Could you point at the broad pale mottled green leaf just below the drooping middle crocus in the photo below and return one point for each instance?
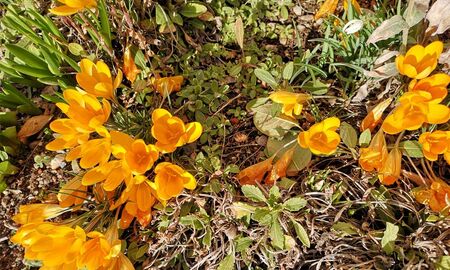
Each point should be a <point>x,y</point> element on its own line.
<point>270,125</point>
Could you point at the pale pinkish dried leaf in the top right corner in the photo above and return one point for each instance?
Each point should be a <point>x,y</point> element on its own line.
<point>439,17</point>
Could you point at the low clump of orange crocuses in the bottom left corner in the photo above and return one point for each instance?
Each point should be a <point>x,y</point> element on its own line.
<point>60,246</point>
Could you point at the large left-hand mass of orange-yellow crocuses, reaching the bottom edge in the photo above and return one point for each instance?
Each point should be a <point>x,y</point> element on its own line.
<point>116,169</point>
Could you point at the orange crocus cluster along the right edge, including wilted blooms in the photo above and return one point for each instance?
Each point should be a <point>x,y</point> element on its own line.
<point>417,108</point>
